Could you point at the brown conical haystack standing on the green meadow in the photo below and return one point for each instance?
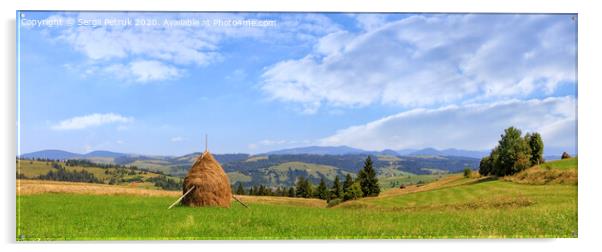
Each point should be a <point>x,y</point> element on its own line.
<point>212,187</point>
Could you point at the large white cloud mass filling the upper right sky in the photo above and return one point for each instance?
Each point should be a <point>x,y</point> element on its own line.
<point>429,60</point>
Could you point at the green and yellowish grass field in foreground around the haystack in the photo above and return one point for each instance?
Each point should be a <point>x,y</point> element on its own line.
<point>450,207</point>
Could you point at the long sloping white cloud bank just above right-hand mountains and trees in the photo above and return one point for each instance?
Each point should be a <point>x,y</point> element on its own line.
<point>473,126</point>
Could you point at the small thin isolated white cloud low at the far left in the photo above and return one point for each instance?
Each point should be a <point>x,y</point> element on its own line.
<point>92,120</point>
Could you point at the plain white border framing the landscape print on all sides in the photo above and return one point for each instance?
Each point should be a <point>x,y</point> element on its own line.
<point>589,120</point>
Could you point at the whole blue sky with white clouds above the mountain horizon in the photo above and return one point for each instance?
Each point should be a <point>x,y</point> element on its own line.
<point>370,81</point>
